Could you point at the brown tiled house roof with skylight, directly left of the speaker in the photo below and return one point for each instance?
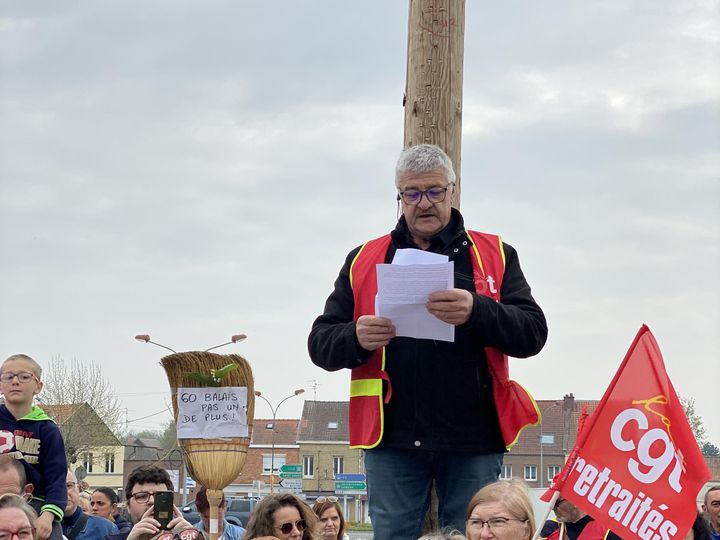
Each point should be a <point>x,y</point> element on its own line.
<point>324,421</point>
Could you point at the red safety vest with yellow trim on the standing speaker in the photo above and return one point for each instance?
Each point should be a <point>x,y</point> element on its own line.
<point>515,406</point>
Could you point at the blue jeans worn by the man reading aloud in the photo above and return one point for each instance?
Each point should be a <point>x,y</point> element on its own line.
<point>399,483</point>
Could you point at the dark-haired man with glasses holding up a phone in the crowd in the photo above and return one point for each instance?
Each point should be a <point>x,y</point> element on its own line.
<point>140,489</point>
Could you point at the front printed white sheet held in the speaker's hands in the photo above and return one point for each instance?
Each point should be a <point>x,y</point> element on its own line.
<point>403,290</point>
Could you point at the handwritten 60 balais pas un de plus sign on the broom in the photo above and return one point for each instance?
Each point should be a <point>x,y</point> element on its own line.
<point>212,413</point>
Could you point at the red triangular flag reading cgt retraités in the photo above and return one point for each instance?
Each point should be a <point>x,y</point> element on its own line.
<point>636,467</point>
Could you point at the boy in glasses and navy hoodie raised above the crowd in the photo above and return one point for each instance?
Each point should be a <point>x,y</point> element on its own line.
<point>30,435</point>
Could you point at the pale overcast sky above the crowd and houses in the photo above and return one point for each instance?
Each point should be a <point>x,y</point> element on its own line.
<point>197,169</point>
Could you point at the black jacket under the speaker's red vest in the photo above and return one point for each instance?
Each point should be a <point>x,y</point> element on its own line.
<point>441,392</point>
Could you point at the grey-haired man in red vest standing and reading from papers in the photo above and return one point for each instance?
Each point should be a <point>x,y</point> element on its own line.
<point>430,410</point>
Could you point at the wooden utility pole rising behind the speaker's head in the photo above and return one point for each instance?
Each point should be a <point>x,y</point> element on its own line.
<point>433,91</point>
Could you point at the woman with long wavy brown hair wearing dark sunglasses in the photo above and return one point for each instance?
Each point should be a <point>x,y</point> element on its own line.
<point>281,516</point>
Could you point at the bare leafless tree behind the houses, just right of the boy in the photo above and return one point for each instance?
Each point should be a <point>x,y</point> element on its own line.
<point>77,382</point>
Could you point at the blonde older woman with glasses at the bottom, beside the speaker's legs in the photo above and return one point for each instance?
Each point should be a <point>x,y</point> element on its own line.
<point>501,510</point>
